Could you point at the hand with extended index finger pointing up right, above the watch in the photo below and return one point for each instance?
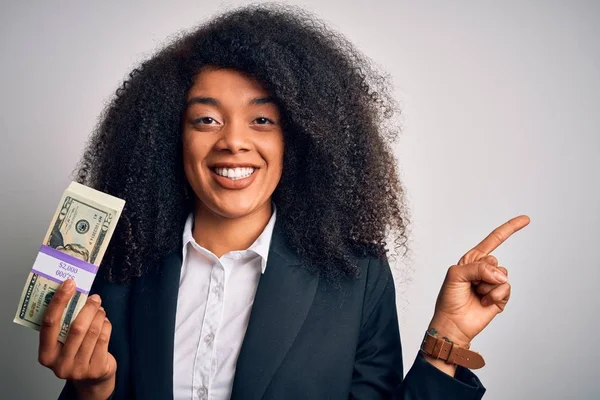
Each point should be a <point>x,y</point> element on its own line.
<point>476,289</point>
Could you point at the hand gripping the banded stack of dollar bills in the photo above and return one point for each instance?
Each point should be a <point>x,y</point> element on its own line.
<point>84,358</point>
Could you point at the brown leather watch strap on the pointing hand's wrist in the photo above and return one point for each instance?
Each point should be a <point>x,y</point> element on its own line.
<point>451,353</point>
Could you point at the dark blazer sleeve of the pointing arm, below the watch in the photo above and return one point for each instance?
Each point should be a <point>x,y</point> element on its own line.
<point>378,369</point>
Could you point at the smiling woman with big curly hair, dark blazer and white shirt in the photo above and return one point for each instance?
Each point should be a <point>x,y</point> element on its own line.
<point>250,260</point>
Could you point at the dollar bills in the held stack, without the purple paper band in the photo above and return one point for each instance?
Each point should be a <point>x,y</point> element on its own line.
<point>81,227</point>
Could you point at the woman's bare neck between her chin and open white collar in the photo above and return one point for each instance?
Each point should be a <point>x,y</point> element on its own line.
<point>221,235</point>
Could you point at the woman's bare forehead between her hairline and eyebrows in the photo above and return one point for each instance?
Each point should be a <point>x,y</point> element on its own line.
<point>219,82</point>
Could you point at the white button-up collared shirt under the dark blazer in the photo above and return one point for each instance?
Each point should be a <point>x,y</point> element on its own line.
<point>213,309</point>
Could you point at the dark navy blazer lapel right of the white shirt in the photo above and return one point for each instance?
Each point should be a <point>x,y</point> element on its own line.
<point>283,298</point>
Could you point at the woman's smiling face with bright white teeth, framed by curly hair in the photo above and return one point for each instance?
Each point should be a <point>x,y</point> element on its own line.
<point>232,143</point>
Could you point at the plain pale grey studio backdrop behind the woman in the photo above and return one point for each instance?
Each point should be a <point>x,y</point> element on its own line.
<point>500,114</point>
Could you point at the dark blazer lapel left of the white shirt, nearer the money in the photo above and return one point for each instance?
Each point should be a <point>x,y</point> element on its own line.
<point>153,330</point>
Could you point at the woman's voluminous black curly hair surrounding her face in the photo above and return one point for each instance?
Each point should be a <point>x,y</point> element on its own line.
<point>339,194</point>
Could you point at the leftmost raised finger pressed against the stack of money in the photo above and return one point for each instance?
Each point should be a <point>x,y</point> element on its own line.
<point>51,322</point>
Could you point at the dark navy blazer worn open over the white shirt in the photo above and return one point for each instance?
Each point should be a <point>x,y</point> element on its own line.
<point>305,338</point>
